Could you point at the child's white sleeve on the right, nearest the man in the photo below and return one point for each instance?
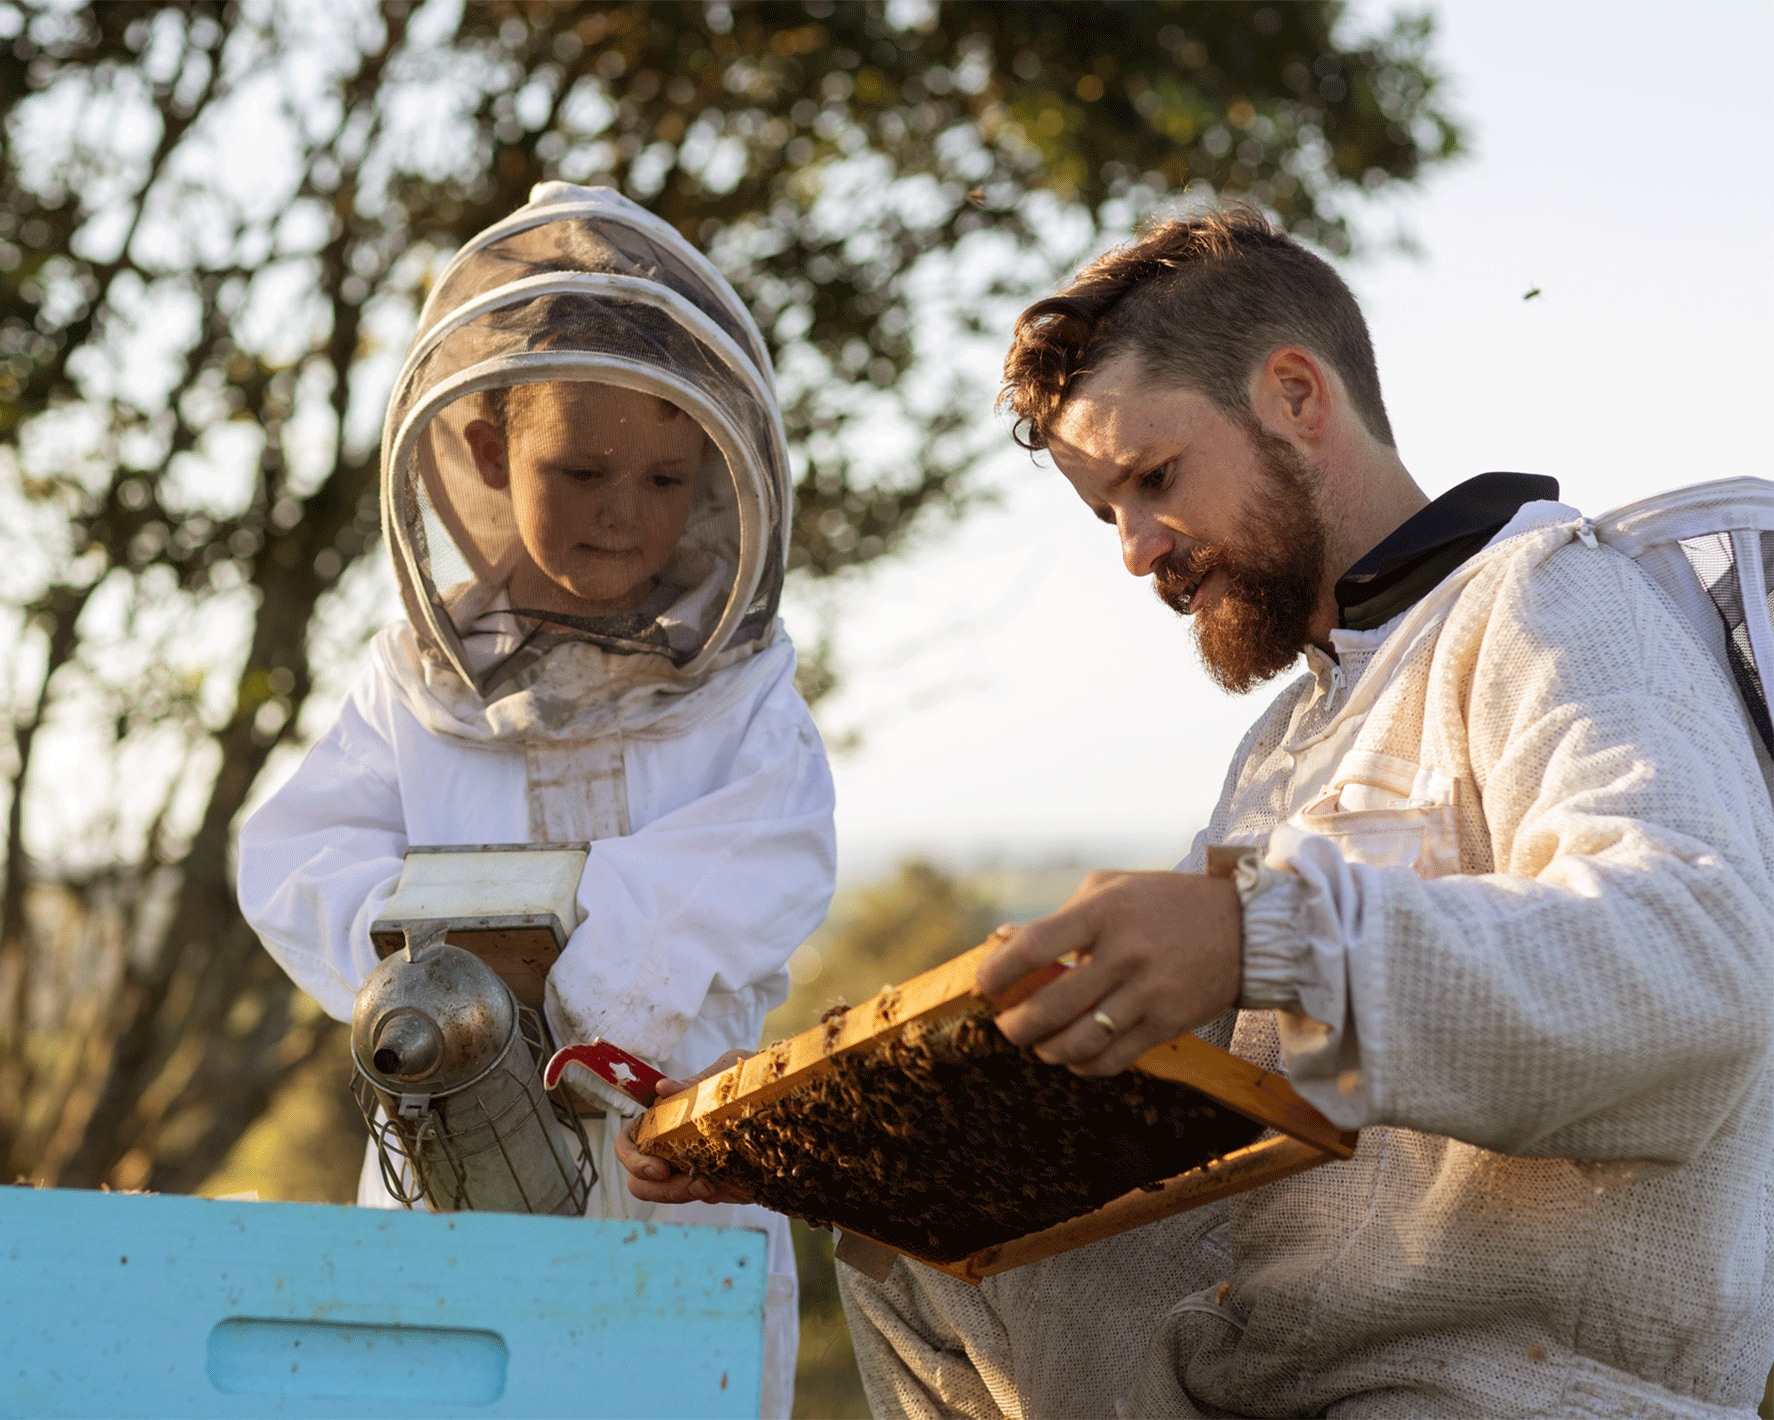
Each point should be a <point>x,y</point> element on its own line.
<point>710,897</point>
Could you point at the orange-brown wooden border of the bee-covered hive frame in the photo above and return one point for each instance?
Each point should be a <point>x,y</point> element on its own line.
<point>1305,1139</point>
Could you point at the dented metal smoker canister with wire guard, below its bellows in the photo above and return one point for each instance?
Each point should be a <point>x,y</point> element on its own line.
<point>448,1073</point>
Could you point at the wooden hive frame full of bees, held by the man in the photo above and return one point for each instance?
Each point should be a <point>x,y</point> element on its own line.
<point>914,1126</point>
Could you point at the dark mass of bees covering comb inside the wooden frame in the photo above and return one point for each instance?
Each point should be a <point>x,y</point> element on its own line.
<point>948,1139</point>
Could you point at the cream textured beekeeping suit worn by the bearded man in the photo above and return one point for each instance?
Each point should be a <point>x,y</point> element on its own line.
<point>1509,910</point>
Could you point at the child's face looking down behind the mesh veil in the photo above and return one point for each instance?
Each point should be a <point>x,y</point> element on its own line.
<point>600,482</point>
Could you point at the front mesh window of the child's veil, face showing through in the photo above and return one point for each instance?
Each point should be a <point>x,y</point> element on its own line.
<point>572,510</point>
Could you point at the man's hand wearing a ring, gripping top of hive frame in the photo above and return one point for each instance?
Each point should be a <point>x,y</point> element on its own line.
<point>1159,954</point>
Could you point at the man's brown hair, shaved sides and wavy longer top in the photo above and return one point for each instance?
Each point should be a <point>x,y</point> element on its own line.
<point>1202,303</point>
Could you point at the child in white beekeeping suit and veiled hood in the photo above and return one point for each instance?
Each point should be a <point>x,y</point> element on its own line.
<point>586,496</point>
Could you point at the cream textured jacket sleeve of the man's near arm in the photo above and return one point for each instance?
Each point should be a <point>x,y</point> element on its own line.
<point>1610,991</point>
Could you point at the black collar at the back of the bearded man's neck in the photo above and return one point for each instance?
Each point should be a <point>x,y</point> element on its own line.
<point>1431,544</point>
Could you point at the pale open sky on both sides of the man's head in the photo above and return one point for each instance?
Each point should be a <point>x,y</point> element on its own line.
<point>1023,698</point>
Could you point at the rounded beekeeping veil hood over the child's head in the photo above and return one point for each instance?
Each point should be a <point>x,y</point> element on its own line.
<point>585,446</point>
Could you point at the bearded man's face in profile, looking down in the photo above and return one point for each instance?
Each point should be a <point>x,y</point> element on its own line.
<point>1223,517</point>
